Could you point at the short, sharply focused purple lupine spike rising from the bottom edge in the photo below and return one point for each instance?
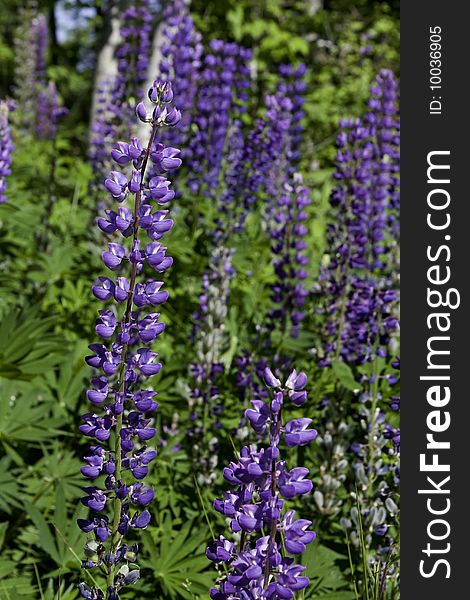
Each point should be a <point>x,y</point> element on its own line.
<point>260,567</point>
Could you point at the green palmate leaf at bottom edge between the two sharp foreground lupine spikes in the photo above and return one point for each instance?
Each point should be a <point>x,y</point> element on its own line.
<point>178,561</point>
